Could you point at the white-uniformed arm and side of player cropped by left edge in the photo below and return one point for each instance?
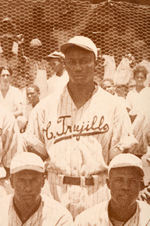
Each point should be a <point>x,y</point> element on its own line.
<point>8,146</point>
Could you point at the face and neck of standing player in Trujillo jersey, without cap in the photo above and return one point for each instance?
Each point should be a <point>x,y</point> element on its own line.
<point>80,64</point>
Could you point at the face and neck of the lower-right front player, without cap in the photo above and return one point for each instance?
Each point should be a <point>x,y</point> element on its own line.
<point>125,184</point>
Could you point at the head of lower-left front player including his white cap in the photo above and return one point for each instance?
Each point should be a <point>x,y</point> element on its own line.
<point>27,177</point>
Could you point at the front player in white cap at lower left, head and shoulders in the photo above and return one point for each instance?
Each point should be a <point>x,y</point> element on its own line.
<point>27,207</point>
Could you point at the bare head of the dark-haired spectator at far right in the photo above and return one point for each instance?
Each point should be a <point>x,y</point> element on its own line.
<point>140,75</point>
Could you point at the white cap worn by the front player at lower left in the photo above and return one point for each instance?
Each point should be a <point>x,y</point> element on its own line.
<point>26,161</point>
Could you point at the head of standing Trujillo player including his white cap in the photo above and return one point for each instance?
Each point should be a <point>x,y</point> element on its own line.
<point>80,59</point>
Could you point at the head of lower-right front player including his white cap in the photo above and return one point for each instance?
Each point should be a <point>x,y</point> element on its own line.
<point>125,180</point>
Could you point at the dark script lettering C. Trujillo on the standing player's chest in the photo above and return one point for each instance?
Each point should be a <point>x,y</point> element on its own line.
<point>65,131</point>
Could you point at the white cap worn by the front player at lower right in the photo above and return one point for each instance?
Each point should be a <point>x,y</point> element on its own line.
<point>125,160</point>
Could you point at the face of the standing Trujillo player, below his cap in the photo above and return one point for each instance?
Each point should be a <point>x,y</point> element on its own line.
<point>80,65</point>
